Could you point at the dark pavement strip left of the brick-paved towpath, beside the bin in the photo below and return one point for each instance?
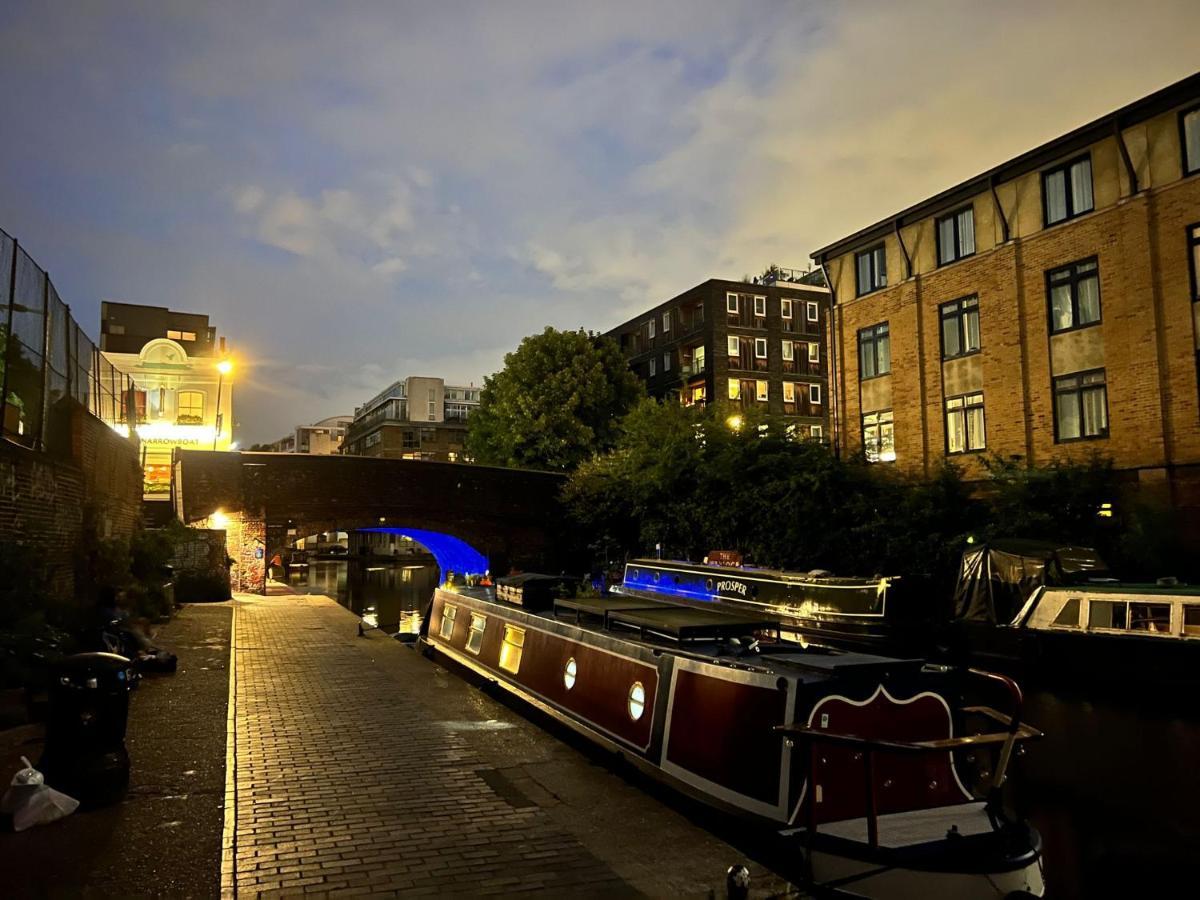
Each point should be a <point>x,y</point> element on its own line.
<point>165,838</point>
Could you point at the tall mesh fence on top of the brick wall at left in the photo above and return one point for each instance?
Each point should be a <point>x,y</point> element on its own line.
<point>45,357</point>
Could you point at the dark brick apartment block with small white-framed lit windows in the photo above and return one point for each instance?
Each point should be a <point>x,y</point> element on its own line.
<point>743,344</point>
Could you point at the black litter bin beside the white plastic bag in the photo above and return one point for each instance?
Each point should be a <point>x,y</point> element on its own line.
<point>86,755</point>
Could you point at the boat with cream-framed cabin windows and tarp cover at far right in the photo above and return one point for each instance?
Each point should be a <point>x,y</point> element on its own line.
<point>1058,611</point>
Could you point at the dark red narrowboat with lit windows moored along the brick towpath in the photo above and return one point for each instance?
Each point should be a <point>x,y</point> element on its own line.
<point>867,775</point>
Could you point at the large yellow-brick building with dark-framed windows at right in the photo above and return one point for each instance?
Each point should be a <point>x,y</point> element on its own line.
<point>1047,308</point>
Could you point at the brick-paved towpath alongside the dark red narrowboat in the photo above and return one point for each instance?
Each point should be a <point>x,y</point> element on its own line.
<point>362,767</point>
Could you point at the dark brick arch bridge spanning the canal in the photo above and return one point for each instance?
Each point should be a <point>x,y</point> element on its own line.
<point>511,517</point>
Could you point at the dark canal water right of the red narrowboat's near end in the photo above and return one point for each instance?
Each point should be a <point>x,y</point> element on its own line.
<point>1114,790</point>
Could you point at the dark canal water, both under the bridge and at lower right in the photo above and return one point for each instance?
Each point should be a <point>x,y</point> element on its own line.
<point>1114,788</point>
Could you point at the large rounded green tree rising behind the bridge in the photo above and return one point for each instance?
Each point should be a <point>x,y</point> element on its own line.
<point>557,401</point>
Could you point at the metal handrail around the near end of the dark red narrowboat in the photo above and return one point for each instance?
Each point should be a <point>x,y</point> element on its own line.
<point>1015,731</point>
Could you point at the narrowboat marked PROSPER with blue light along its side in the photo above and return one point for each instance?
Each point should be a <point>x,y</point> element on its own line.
<point>848,613</point>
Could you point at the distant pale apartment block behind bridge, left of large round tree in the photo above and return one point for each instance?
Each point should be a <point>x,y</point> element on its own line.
<point>416,418</point>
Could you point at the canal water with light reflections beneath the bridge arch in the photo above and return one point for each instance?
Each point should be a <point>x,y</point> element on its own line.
<point>388,596</point>
